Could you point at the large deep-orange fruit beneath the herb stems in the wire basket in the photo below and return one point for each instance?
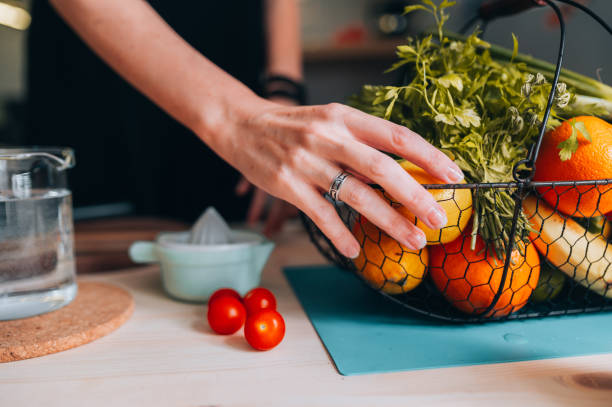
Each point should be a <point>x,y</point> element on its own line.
<point>469,279</point>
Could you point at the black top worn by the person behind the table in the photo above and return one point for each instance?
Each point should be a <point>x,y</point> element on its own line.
<point>126,148</point>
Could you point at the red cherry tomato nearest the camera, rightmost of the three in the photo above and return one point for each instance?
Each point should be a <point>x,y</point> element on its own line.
<point>264,330</point>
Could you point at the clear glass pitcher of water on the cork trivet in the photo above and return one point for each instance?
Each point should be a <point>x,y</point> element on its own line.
<point>37,268</point>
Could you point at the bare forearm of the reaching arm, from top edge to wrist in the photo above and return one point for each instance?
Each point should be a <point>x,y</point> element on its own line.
<point>133,39</point>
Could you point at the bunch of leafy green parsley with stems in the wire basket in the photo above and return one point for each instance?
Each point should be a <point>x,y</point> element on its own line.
<point>482,113</point>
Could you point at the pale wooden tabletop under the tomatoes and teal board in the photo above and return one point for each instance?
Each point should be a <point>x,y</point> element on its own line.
<point>165,355</point>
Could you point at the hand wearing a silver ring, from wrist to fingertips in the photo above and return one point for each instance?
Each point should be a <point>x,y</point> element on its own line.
<point>295,153</point>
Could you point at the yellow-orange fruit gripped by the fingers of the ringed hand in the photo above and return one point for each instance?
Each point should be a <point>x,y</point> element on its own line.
<point>457,203</point>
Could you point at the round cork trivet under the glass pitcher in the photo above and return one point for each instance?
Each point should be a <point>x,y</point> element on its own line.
<point>97,310</point>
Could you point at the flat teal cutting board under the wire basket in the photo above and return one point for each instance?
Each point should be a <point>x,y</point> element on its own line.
<point>366,333</point>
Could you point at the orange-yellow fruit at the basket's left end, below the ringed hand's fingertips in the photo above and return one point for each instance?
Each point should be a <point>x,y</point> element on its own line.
<point>384,263</point>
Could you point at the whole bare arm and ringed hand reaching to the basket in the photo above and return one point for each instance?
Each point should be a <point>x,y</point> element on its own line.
<point>294,153</point>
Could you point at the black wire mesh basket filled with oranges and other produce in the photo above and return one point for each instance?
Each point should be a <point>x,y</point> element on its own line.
<point>565,267</point>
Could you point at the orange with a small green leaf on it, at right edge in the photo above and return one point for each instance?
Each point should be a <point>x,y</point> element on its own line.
<point>592,161</point>
